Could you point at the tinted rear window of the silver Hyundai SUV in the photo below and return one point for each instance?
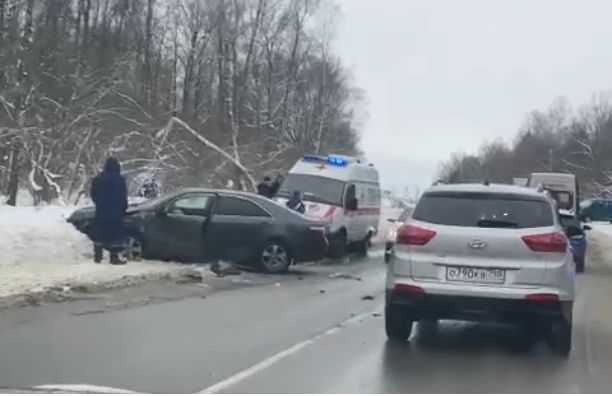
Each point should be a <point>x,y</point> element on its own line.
<point>484,210</point>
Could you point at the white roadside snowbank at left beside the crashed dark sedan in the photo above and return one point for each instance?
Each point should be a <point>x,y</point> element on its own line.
<point>40,251</point>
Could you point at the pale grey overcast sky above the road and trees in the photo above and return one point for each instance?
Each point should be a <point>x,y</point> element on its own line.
<point>442,75</point>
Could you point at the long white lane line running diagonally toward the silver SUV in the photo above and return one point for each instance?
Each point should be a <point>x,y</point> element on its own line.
<point>264,364</point>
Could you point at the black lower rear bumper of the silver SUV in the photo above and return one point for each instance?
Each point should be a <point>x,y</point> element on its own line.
<point>432,306</point>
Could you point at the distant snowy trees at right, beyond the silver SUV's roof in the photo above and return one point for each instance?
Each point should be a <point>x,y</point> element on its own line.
<point>559,139</point>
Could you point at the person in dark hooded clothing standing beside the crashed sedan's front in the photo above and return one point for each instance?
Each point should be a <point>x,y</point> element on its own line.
<point>109,194</point>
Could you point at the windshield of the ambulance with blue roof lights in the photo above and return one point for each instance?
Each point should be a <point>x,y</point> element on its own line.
<point>313,188</point>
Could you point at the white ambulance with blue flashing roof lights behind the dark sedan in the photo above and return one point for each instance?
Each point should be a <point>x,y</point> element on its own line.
<point>343,190</point>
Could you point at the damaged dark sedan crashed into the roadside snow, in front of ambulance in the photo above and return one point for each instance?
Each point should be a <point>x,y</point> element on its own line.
<point>201,225</point>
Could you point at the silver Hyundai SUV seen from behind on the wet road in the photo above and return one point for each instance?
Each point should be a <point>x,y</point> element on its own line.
<point>482,252</point>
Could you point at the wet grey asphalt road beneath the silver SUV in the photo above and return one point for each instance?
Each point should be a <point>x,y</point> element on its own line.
<point>319,330</point>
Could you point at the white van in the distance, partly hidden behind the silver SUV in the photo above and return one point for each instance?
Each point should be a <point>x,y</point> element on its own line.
<point>563,187</point>
